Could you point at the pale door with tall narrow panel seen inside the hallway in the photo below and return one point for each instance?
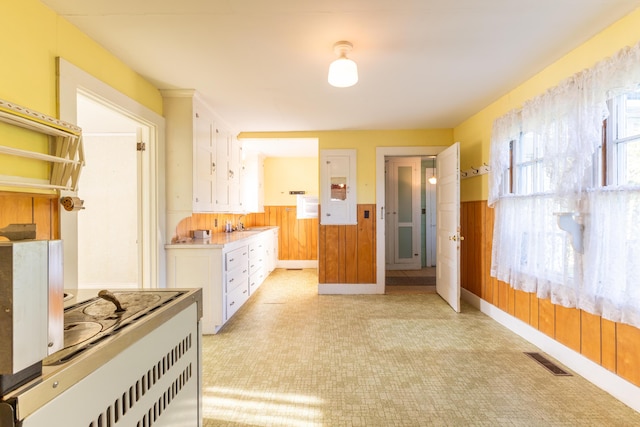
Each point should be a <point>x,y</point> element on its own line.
<point>403,214</point>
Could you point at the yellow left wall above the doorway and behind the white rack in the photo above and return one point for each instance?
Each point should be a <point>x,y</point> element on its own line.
<point>33,36</point>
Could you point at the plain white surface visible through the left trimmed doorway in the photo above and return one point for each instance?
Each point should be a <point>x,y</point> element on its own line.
<point>109,250</point>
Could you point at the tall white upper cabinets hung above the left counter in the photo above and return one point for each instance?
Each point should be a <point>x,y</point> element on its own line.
<point>203,170</point>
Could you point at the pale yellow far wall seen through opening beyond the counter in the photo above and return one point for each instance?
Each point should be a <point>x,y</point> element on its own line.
<point>284,174</point>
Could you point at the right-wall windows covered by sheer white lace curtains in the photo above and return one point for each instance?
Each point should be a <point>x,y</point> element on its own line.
<point>570,158</point>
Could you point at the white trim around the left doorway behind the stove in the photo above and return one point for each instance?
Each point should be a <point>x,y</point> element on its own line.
<point>71,81</point>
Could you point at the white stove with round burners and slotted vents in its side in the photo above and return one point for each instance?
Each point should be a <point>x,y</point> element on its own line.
<point>135,367</point>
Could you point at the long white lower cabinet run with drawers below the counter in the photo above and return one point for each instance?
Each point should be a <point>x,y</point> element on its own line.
<point>228,273</point>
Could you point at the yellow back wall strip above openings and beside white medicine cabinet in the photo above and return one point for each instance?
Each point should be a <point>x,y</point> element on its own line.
<point>365,143</point>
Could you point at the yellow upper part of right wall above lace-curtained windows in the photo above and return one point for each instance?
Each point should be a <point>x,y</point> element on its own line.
<point>474,134</point>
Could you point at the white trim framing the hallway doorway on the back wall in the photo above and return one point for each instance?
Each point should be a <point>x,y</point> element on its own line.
<point>381,153</point>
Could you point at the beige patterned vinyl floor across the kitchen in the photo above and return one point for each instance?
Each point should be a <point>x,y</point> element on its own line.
<point>291,357</point>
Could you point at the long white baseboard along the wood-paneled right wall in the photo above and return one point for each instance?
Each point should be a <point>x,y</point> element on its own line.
<point>618,387</point>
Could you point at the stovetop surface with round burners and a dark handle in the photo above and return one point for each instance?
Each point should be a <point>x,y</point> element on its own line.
<point>91,321</point>
